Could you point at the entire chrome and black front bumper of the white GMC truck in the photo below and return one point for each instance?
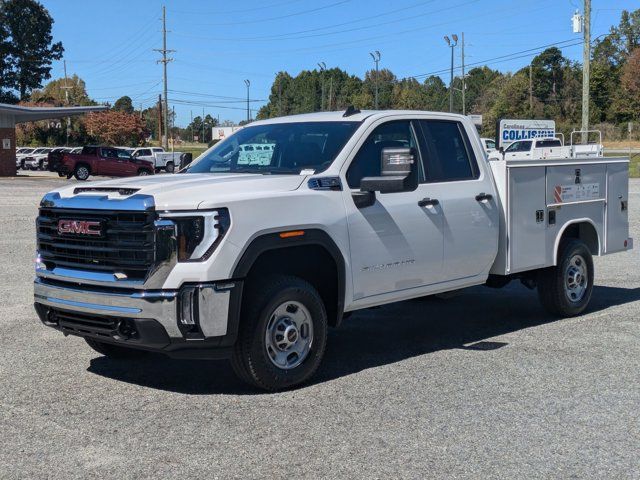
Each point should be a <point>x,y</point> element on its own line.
<point>143,319</point>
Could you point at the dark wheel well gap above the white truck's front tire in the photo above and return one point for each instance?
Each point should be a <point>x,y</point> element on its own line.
<point>312,263</point>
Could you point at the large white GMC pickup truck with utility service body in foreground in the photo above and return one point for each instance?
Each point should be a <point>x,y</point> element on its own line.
<point>254,261</point>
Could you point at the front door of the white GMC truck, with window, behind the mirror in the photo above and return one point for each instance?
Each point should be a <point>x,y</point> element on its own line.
<point>396,243</point>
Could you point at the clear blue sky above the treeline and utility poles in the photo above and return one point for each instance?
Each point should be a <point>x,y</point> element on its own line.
<point>218,45</point>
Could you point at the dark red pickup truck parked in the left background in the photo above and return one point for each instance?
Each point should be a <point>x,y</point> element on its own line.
<point>95,160</point>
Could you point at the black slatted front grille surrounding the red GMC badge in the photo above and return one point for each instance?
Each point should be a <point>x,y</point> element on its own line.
<point>127,243</point>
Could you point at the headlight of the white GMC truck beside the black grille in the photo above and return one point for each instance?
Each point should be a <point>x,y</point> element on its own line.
<point>199,233</point>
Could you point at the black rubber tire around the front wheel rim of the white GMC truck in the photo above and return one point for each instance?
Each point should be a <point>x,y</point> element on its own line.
<point>250,360</point>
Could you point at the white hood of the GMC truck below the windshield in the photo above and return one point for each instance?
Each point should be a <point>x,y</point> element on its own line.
<point>187,191</point>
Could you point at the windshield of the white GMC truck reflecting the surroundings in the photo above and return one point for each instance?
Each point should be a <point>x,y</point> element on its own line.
<point>279,148</point>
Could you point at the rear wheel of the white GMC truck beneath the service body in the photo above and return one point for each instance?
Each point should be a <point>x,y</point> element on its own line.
<point>554,284</point>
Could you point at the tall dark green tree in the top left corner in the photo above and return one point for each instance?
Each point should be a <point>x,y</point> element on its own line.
<point>30,50</point>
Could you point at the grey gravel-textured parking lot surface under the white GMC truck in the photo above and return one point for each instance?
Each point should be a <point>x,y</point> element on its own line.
<point>481,385</point>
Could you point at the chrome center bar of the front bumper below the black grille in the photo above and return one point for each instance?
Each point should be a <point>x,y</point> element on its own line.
<point>158,305</point>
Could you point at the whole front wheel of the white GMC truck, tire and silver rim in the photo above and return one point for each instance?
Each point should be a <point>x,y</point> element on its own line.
<point>283,334</point>
